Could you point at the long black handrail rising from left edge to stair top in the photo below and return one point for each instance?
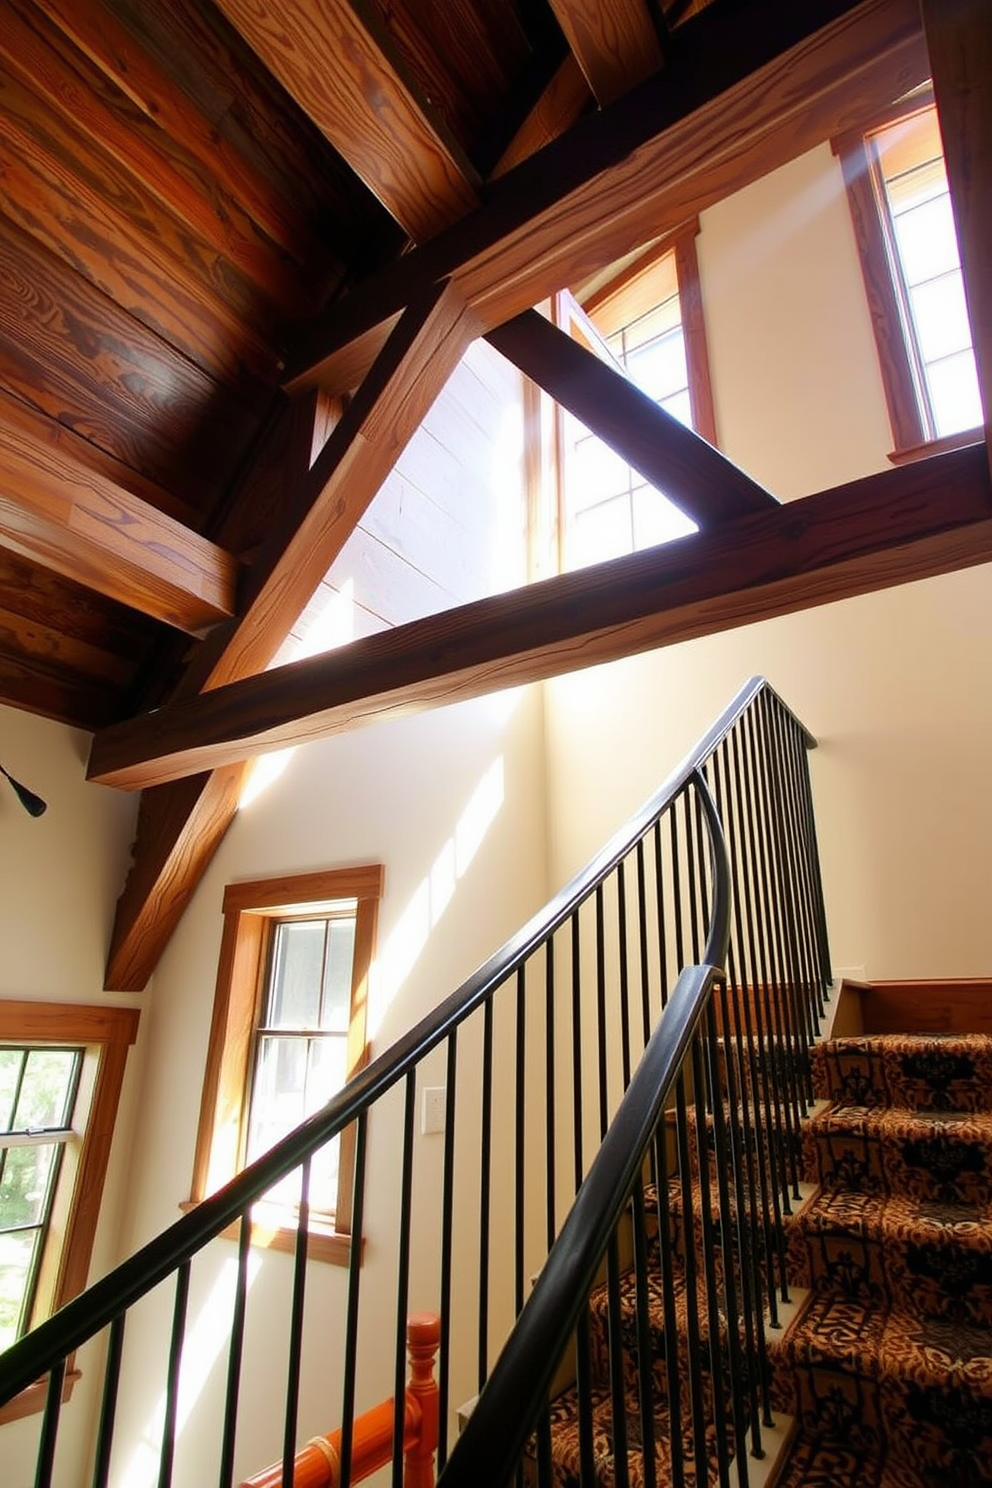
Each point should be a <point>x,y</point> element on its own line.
<point>86,1316</point>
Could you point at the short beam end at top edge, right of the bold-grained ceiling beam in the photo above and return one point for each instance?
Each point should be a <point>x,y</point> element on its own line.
<point>613,41</point>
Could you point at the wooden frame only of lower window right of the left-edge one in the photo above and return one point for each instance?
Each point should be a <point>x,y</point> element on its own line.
<point>251,911</point>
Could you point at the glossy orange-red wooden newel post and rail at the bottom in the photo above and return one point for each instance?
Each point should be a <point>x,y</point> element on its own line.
<point>318,1465</point>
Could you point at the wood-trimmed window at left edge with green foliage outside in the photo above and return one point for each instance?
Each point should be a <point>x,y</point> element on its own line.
<point>62,1069</point>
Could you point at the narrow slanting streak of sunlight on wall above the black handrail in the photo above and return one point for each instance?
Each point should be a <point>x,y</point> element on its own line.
<point>435,892</point>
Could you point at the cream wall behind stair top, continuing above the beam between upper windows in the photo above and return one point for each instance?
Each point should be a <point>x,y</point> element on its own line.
<point>895,685</point>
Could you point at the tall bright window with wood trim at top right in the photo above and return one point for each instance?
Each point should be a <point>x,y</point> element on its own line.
<point>901,206</point>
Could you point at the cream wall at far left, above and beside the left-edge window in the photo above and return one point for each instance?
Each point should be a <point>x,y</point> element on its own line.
<point>60,877</point>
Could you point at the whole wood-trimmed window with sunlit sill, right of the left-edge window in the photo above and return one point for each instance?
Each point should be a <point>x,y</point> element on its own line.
<point>289,1030</point>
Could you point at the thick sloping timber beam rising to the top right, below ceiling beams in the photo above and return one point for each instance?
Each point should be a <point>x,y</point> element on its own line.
<point>749,92</point>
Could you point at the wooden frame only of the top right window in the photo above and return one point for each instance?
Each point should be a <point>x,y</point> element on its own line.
<point>911,437</point>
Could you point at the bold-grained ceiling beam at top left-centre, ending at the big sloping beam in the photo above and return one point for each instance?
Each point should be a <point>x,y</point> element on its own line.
<point>338,65</point>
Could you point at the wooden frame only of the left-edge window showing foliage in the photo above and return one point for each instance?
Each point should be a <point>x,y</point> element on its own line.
<point>105,1036</point>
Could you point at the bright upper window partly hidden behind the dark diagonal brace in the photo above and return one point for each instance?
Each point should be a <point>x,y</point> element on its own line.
<point>646,319</point>
